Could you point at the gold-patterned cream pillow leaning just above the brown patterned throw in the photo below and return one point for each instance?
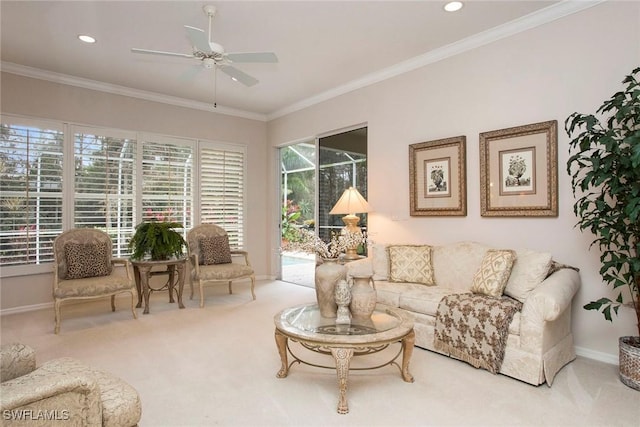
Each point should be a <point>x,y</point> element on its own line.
<point>492,276</point>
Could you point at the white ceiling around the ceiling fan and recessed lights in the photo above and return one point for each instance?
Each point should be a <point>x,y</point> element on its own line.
<point>324,47</point>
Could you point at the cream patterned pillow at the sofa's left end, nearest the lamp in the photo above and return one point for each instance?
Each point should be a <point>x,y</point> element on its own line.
<point>410,263</point>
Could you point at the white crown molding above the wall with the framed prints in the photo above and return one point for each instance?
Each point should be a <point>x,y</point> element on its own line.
<point>535,19</point>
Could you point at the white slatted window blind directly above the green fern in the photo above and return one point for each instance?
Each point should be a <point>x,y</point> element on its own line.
<point>167,182</point>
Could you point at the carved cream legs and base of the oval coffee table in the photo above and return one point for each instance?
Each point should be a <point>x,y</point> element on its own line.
<point>342,357</point>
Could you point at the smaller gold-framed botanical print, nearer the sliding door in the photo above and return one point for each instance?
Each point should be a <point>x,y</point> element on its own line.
<point>437,177</point>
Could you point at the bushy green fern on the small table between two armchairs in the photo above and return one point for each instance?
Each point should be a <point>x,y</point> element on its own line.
<point>157,239</point>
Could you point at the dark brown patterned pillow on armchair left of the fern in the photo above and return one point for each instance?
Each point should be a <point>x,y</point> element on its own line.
<point>87,260</point>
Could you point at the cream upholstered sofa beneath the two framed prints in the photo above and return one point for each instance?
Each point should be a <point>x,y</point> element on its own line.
<point>540,341</point>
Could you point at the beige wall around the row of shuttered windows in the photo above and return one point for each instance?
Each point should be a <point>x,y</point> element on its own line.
<point>42,99</point>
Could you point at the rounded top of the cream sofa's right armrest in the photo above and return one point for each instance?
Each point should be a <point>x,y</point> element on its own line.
<point>553,296</point>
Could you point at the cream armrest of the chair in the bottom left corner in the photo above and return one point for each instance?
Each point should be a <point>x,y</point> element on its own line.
<point>72,398</point>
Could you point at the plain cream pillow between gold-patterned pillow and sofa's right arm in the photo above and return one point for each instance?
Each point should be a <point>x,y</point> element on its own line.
<point>529,270</point>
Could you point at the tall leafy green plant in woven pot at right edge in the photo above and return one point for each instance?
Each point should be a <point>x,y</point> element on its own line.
<point>605,176</point>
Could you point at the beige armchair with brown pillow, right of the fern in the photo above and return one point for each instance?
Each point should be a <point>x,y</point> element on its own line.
<point>213,261</point>
